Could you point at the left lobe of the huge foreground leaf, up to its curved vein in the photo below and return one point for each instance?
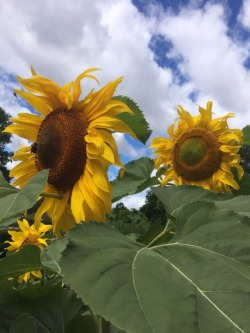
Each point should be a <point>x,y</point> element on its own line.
<point>98,262</point>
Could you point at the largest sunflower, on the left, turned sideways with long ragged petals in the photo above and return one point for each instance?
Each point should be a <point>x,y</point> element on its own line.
<point>73,139</point>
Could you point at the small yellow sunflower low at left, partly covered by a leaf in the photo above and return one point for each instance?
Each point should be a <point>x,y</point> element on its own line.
<point>28,235</point>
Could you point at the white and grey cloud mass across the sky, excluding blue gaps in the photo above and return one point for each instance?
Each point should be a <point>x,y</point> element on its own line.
<point>61,41</point>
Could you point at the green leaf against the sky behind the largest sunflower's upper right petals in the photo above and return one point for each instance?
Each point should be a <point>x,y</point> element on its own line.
<point>137,122</point>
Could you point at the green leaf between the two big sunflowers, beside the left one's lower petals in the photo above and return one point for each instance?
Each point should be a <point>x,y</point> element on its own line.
<point>137,177</point>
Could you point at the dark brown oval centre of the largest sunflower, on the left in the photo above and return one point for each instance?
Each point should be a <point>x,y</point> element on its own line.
<point>61,147</point>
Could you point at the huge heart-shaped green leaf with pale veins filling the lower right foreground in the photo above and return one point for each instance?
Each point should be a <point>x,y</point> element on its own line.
<point>199,282</point>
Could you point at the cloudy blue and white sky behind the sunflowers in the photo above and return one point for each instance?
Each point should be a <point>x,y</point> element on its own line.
<point>170,52</point>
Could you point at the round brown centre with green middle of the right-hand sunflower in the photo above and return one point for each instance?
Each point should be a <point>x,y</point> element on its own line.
<point>197,155</point>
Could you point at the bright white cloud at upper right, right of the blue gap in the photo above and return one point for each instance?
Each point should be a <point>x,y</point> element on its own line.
<point>212,61</point>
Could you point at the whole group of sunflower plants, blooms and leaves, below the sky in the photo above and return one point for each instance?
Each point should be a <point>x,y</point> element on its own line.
<point>65,269</point>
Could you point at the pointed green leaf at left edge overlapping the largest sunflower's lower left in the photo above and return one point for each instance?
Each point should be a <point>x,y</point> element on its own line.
<point>14,201</point>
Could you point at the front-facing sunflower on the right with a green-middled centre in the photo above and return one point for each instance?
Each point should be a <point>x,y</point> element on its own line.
<point>201,151</point>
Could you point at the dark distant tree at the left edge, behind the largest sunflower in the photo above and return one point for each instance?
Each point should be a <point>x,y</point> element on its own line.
<point>5,155</point>
